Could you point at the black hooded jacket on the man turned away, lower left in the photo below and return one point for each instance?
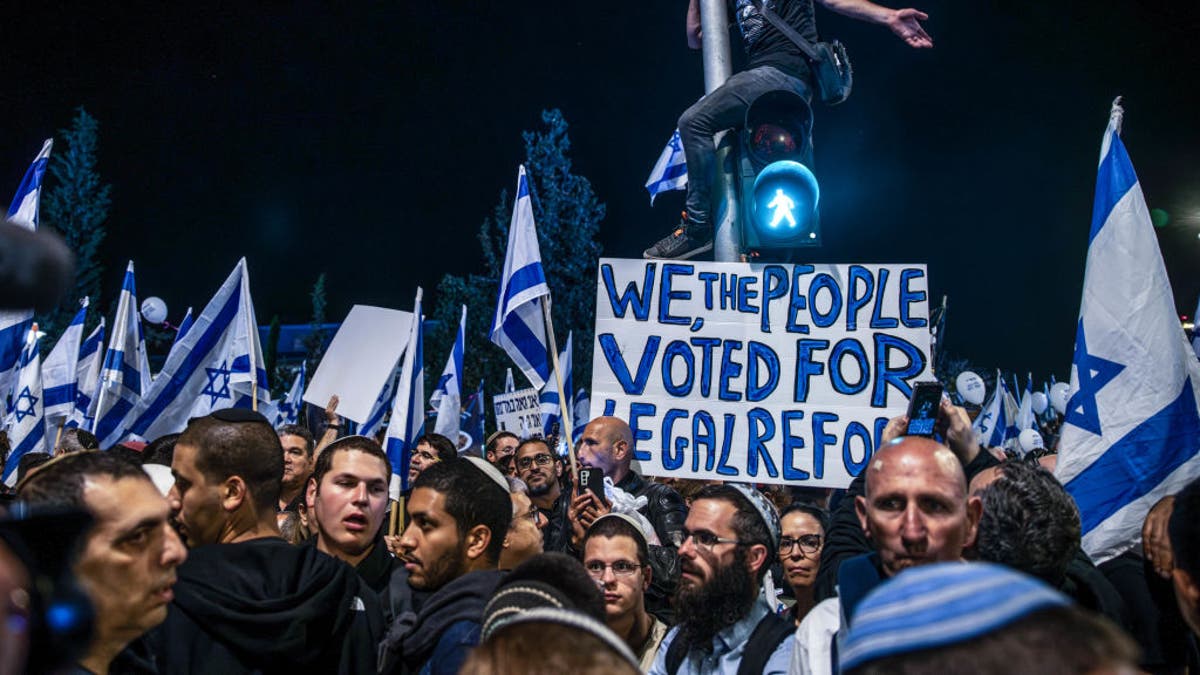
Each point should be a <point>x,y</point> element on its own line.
<point>268,607</point>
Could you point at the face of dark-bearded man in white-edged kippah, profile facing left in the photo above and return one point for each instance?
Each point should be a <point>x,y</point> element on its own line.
<point>433,548</point>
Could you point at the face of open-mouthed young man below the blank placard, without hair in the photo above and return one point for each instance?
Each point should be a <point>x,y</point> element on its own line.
<point>351,503</point>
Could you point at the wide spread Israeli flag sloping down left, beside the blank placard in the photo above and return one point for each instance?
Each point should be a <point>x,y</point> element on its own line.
<point>219,365</point>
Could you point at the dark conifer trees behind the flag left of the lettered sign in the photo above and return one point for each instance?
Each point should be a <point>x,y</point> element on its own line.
<point>568,217</point>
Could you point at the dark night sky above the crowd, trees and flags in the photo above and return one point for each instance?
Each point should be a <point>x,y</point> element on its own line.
<point>370,140</point>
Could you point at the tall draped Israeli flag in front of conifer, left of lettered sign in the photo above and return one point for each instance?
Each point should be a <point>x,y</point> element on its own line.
<point>520,326</point>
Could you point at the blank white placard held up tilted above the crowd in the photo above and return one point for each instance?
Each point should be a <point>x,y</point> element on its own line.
<point>362,357</point>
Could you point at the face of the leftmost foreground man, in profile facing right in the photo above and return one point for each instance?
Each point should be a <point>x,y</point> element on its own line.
<point>129,564</point>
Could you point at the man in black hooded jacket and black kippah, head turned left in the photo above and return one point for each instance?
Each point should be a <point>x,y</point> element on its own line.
<point>248,601</point>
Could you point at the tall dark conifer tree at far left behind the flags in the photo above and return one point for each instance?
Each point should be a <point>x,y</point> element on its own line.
<point>75,205</point>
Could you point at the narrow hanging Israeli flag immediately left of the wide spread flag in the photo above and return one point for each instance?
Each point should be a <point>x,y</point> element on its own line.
<point>125,378</point>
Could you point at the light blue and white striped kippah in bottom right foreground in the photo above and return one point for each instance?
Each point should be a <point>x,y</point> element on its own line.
<point>940,605</point>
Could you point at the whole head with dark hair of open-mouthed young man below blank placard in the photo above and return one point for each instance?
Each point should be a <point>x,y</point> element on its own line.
<point>349,492</point>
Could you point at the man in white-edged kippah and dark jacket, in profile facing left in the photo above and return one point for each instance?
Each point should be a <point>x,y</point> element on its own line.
<point>459,513</point>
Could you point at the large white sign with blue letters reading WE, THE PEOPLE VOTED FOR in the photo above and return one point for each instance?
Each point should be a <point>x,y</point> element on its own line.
<point>758,373</point>
